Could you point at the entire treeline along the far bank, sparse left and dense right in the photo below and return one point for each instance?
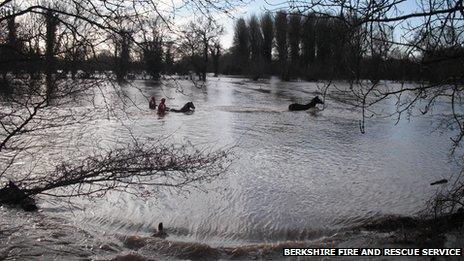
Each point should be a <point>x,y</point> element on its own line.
<point>294,45</point>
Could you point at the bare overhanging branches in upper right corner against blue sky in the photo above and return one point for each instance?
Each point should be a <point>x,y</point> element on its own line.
<point>438,26</point>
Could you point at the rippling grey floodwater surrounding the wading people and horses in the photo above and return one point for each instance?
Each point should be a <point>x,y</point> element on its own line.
<point>297,178</point>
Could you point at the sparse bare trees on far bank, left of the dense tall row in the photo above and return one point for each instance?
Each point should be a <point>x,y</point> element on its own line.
<point>46,46</point>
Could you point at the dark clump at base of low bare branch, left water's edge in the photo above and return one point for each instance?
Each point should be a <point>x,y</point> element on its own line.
<point>11,194</point>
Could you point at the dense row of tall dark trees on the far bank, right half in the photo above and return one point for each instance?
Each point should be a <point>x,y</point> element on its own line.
<point>314,46</point>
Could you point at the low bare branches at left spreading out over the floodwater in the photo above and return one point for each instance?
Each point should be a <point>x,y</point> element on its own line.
<point>29,121</point>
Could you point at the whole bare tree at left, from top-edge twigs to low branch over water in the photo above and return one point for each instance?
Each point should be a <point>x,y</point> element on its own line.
<point>45,104</point>
